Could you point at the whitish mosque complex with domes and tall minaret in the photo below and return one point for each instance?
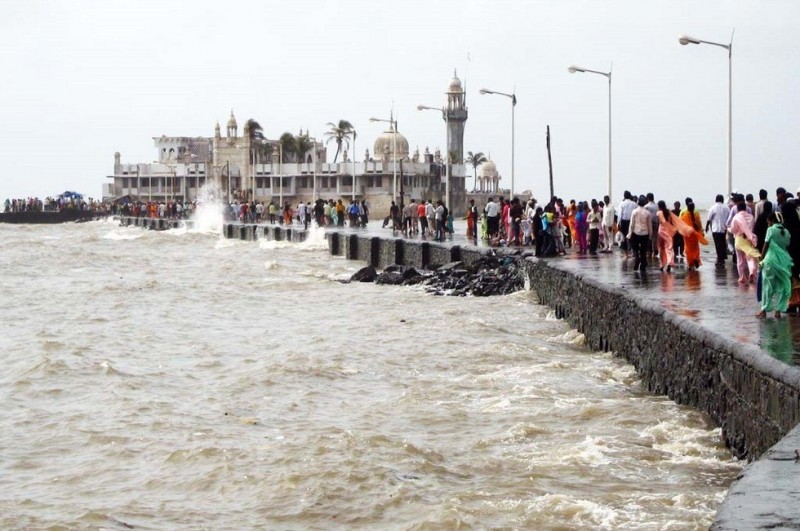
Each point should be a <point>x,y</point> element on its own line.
<point>249,166</point>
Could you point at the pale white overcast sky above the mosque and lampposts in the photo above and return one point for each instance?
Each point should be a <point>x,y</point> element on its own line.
<point>83,79</point>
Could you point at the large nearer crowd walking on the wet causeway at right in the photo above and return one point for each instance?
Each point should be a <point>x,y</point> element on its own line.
<point>762,237</point>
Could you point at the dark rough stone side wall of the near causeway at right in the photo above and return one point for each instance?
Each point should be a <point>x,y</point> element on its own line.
<point>754,398</point>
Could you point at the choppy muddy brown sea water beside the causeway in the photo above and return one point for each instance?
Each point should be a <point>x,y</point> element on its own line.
<point>178,380</point>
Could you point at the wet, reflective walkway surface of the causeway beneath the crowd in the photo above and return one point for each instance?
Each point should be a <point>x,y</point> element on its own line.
<point>710,296</point>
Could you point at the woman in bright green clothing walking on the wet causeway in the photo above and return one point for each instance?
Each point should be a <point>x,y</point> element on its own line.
<point>776,268</point>
